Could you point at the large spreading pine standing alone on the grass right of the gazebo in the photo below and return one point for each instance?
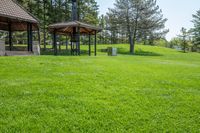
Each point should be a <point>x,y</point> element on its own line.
<point>139,19</point>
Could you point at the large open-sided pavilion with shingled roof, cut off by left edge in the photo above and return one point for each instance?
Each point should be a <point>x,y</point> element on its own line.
<point>13,17</point>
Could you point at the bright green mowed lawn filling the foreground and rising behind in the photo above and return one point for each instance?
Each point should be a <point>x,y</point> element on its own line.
<point>157,90</point>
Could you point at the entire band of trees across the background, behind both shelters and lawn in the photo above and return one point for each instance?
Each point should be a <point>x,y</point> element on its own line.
<point>129,21</point>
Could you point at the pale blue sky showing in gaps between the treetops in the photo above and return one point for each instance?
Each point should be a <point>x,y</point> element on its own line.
<point>178,12</point>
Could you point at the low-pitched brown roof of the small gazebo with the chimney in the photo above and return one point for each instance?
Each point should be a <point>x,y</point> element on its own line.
<point>67,28</point>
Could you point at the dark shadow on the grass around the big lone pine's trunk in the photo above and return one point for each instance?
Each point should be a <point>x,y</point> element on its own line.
<point>138,52</point>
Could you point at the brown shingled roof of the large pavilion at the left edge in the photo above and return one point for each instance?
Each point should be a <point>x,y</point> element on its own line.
<point>12,12</point>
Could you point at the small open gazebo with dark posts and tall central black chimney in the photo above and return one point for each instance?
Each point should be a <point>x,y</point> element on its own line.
<point>74,29</point>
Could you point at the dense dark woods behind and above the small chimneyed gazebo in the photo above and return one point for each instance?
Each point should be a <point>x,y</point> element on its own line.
<point>53,11</point>
